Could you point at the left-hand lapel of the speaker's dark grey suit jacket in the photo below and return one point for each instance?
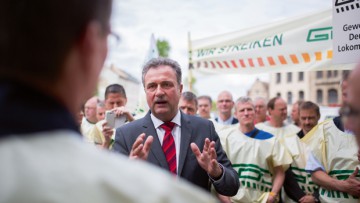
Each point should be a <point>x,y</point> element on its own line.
<point>156,149</point>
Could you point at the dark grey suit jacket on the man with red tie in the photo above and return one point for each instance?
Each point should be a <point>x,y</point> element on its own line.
<point>193,129</point>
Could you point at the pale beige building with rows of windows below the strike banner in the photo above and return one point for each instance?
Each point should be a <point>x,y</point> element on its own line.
<point>321,87</point>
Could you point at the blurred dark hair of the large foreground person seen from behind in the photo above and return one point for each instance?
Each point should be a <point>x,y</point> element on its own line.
<point>37,35</point>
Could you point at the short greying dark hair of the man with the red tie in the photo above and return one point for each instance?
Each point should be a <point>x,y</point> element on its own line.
<point>156,62</point>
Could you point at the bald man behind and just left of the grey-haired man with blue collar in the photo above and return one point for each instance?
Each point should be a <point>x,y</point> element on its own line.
<point>224,106</point>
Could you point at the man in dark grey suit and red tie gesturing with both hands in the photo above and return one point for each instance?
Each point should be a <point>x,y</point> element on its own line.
<point>185,145</point>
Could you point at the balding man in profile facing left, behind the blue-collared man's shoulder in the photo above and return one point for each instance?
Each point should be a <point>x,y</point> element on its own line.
<point>278,113</point>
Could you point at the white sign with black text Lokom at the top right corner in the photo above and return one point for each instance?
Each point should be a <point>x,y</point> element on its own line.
<point>346,21</point>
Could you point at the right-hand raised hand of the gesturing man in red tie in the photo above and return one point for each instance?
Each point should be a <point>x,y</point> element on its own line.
<point>207,158</point>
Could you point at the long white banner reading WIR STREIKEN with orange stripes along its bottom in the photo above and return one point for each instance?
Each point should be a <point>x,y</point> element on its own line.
<point>298,44</point>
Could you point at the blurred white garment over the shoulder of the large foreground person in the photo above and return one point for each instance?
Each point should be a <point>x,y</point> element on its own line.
<point>59,167</point>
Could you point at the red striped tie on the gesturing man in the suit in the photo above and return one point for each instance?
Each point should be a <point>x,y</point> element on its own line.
<point>169,146</point>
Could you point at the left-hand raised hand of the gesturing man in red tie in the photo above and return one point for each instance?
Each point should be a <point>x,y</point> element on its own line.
<point>140,150</point>
